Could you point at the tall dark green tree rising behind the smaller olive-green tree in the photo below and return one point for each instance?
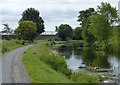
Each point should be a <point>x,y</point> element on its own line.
<point>33,15</point>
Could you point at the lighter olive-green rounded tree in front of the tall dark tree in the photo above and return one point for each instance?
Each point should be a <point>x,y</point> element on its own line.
<point>26,30</point>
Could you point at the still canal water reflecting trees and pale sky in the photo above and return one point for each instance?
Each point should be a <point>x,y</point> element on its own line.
<point>76,55</point>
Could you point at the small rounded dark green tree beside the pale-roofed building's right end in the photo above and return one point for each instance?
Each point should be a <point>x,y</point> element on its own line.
<point>65,31</point>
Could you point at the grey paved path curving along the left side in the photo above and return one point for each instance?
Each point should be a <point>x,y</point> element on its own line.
<point>12,67</point>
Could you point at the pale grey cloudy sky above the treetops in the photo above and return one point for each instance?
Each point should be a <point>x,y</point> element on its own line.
<point>53,12</point>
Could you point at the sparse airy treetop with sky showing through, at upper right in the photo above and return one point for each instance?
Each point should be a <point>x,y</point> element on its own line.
<point>108,11</point>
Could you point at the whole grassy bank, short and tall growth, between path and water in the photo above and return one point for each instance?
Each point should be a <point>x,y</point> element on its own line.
<point>43,66</point>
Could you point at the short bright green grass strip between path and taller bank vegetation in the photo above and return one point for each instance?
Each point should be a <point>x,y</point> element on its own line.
<point>41,72</point>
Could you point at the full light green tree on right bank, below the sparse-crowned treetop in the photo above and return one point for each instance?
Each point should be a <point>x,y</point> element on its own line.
<point>100,28</point>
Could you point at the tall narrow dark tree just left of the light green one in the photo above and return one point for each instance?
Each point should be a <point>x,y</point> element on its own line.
<point>83,18</point>
